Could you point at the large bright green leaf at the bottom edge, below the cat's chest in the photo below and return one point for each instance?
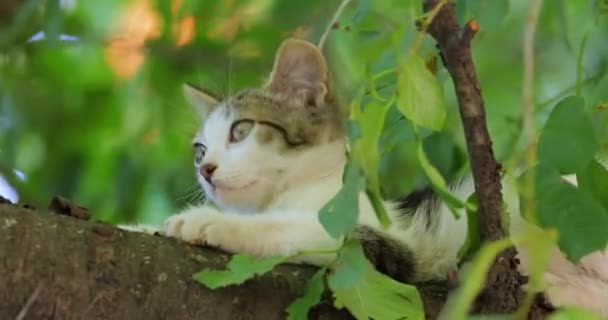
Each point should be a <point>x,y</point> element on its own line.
<point>375,295</point>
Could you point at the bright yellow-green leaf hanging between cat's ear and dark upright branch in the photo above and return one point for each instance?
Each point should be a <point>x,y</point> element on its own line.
<point>420,97</point>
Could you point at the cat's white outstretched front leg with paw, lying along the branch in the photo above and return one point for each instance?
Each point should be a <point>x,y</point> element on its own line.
<point>262,235</point>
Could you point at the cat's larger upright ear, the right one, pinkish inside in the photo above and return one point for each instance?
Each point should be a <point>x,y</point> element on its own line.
<point>300,70</point>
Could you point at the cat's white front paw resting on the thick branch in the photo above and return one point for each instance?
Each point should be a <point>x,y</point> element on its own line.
<point>195,225</point>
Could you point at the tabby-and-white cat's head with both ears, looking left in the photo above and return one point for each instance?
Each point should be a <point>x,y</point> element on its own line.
<point>261,142</point>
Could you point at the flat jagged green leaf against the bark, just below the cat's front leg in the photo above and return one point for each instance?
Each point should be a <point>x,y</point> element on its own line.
<point>240,268</point>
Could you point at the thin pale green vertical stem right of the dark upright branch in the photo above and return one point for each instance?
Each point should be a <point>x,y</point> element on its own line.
<point>527,99</point>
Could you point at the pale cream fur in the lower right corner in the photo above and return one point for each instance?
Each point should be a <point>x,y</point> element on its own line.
<point>583,285</point>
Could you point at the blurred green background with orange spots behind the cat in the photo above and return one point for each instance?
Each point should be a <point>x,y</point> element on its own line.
<point>90,91</point>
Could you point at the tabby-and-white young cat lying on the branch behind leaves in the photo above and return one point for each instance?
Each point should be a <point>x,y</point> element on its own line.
<point>270,158</point>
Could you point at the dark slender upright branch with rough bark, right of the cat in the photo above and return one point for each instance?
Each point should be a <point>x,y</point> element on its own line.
<point>503,285</point>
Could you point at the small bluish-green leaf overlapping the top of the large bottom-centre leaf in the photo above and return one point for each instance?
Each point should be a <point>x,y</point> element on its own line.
<point>350,266</point>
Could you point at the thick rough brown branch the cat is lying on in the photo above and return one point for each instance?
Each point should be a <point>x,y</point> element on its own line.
<point>58,267</point>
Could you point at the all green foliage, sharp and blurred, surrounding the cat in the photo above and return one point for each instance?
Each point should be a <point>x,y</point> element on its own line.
<point>100,119</point>
